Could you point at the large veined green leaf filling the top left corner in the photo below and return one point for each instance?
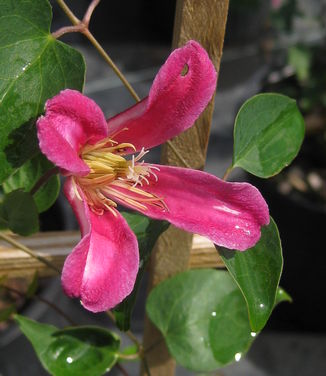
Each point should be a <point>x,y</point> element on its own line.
<point>33,67</point>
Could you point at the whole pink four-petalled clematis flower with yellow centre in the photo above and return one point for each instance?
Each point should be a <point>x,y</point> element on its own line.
<point>104,165</point>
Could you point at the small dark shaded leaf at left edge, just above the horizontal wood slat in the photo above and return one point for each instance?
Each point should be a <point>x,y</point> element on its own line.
<point>19,212</point>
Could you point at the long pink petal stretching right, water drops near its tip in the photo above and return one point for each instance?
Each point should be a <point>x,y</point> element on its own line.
<point>229,214</point>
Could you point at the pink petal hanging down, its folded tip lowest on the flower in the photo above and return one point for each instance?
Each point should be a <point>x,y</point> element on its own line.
<point>102,268</point>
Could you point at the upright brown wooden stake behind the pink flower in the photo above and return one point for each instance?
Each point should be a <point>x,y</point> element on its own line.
<point>203,21</point>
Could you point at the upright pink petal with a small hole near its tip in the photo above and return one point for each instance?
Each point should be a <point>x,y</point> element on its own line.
<point>174,103</point>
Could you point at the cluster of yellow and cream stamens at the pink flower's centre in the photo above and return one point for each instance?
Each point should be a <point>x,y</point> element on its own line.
<point>114,178</point>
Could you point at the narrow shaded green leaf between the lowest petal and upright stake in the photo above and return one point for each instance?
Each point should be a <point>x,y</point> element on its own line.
<point>147,231</point>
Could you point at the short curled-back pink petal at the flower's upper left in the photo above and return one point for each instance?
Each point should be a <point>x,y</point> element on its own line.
<point>71,120</point>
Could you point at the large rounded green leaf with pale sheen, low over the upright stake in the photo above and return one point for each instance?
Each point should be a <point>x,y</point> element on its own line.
<point>203,318</point>
